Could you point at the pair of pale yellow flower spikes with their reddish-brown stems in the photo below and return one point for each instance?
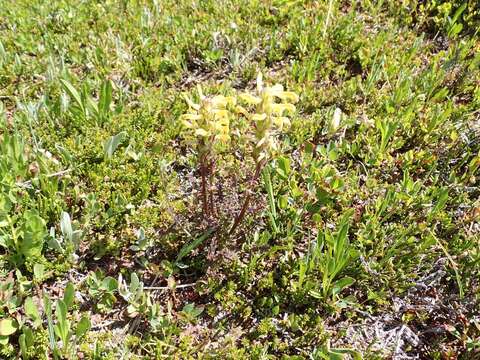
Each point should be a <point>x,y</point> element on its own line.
<point>209,121</point>
